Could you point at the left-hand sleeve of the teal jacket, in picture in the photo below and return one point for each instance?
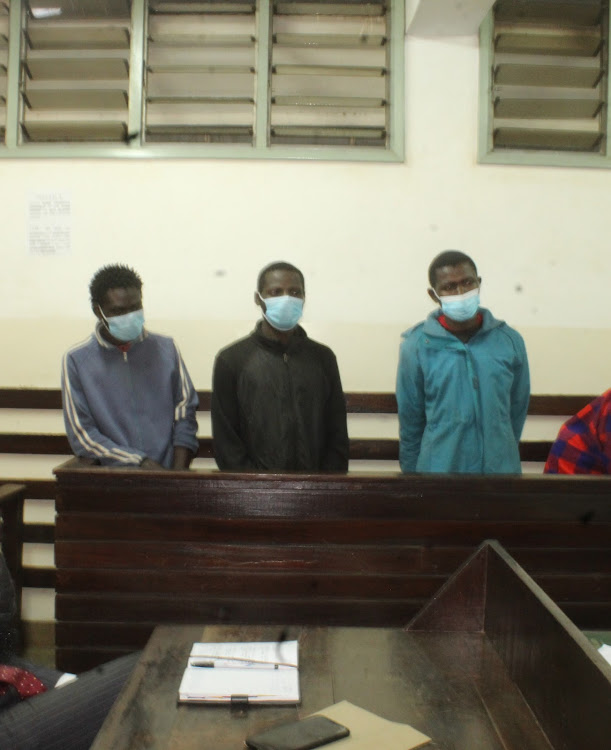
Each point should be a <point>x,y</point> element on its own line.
<point>411,406</point>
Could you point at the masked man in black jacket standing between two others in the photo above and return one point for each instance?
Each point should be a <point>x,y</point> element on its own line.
<point>277,400</point>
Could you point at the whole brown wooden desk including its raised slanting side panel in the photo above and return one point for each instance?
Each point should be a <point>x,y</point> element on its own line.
<point>490,663</point>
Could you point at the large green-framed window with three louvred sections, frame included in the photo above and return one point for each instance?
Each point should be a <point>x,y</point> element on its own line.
<point>191,78</point>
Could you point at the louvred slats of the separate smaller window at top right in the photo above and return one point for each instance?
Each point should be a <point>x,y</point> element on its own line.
<point>548,86</point>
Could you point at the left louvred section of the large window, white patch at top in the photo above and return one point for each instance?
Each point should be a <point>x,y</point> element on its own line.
<point>75,71</point>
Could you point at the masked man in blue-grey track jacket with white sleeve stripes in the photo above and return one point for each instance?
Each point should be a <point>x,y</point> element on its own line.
<point>127,396</point>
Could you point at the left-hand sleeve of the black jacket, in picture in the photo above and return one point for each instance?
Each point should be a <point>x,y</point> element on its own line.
<point>230,451</point>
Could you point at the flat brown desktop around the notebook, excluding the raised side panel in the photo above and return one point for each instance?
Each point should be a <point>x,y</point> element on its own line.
<point>445,685</point>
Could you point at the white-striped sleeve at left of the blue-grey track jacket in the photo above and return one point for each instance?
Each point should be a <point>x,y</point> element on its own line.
<point>85,438</point>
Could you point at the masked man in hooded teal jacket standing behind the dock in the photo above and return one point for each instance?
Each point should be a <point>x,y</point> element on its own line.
<point>463,383</point>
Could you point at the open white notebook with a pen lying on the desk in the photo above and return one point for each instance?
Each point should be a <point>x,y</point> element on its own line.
<point>266,672</point>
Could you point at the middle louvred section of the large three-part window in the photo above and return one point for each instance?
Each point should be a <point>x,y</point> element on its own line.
<point>200,71</point>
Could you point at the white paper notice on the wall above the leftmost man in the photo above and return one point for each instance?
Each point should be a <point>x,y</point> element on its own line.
<point>49,224</point>
